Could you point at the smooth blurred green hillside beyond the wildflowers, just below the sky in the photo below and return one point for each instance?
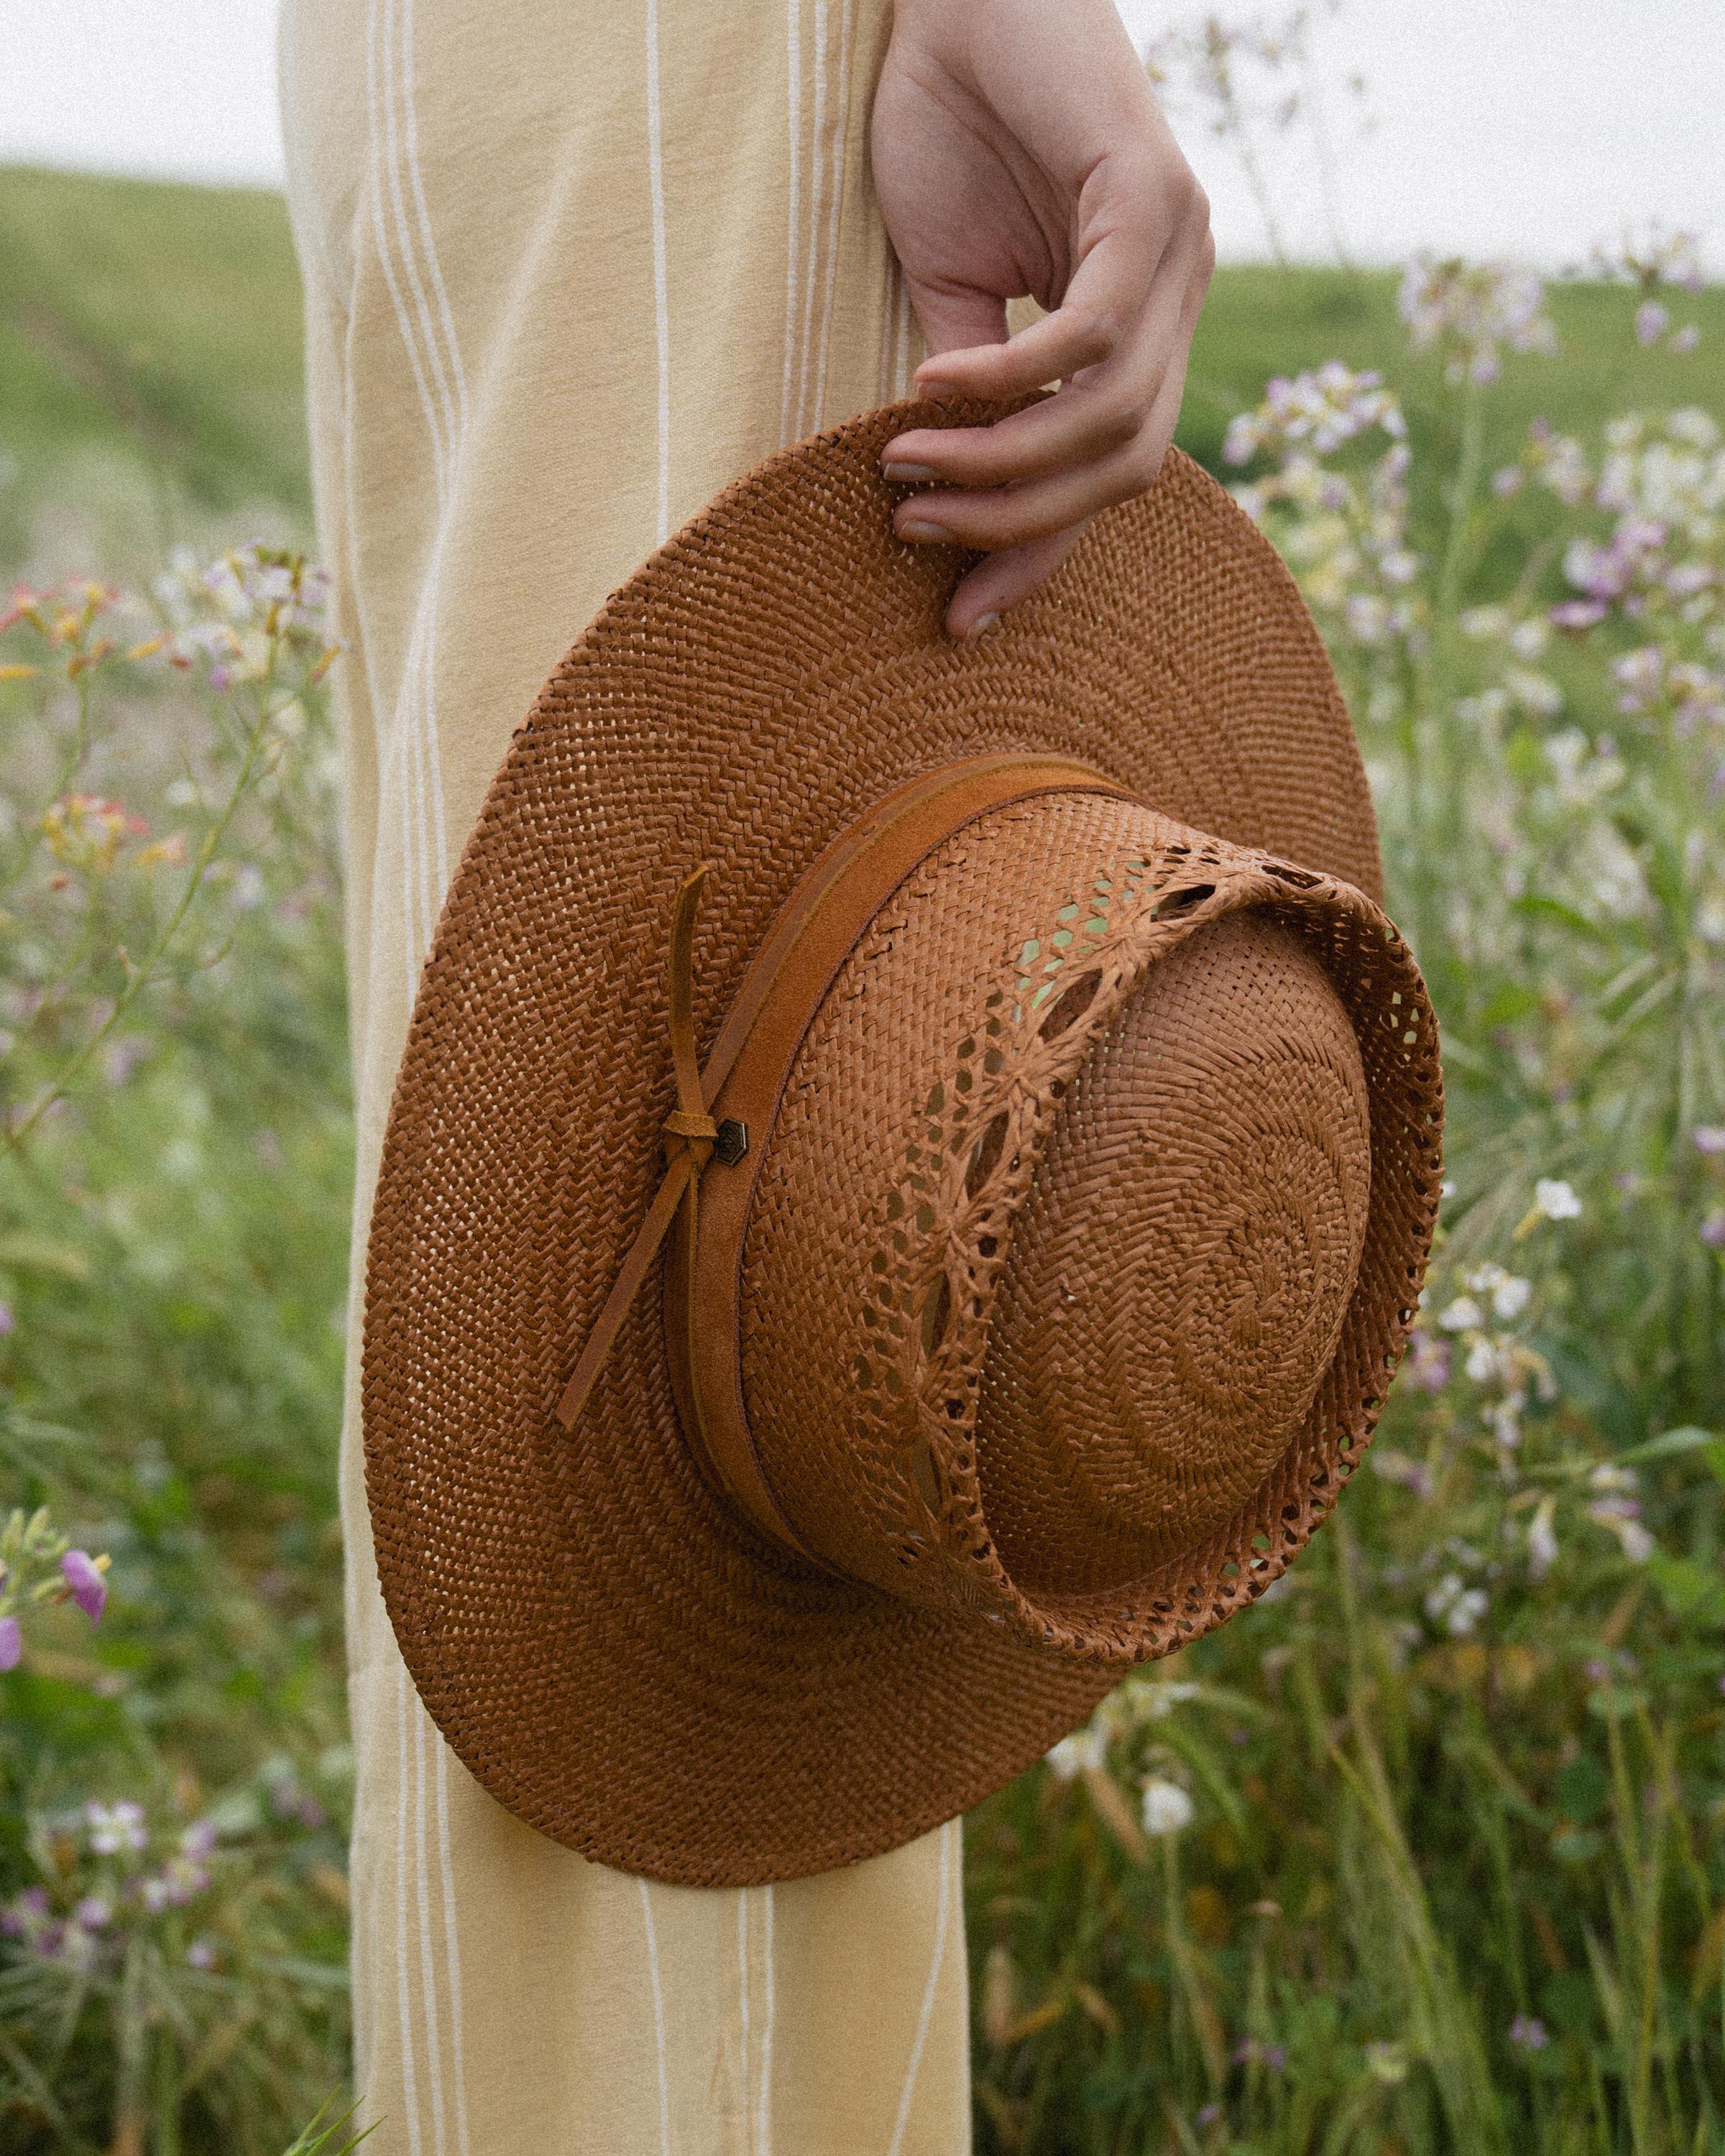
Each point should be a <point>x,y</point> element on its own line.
<point>154,331</point>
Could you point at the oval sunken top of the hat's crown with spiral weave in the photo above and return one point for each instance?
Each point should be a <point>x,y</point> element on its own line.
<point>1181,1267</point>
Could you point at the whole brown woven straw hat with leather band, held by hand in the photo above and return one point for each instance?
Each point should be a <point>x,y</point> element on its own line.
<point>909,1176</point>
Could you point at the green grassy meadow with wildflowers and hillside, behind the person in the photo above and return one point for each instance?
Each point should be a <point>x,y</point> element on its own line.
<point>1426,1853</point>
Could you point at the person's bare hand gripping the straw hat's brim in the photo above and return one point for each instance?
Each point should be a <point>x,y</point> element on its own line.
<point>1021,150</point>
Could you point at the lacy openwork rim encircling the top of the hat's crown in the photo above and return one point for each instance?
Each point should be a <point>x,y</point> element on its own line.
<point>980,1137</point>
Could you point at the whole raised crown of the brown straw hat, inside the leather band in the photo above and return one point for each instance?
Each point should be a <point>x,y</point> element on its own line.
<point>1040,1321</point>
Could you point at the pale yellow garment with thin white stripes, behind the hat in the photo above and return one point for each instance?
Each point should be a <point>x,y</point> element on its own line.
<point>572,268</point>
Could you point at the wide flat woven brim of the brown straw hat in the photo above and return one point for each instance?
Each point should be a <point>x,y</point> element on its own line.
<point>613,1650</point>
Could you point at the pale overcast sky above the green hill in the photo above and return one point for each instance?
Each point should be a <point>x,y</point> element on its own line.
<point>1519,128</point>
